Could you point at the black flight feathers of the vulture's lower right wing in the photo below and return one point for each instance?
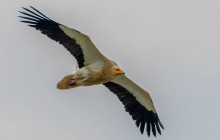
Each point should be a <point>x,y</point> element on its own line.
<point>144,118</point>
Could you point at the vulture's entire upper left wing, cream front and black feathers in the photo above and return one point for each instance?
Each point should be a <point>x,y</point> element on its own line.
<point>78,44</point>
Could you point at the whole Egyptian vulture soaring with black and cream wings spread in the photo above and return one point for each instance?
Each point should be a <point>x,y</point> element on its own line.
<point>95,68</point>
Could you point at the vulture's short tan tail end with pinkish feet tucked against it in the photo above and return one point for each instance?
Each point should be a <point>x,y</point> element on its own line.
<point>67,82</point>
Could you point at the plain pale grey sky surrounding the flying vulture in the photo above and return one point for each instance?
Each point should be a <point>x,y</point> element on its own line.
<point>169,47</point>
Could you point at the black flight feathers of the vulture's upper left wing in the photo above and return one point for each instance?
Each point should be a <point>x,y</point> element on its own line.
<point>39,21</point>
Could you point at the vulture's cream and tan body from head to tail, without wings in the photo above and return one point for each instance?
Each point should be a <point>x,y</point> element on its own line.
<point>94,74</point>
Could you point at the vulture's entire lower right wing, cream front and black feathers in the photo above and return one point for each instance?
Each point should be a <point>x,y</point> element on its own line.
<point>137,102</point>
